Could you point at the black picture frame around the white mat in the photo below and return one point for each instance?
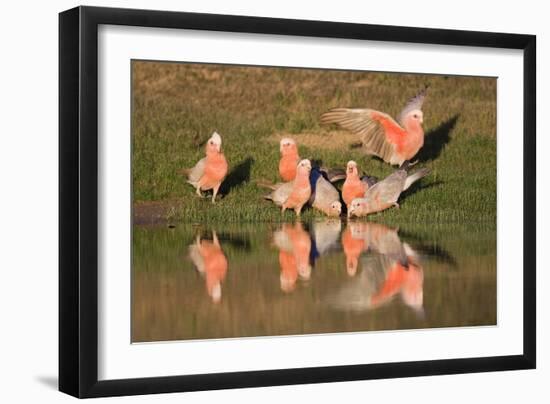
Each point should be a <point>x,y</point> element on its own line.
<point>78,201</point>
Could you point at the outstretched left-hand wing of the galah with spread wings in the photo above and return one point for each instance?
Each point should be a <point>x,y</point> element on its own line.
<point>378,131</point>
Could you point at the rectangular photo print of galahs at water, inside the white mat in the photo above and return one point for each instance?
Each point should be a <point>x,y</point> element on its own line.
<point>273,201</point>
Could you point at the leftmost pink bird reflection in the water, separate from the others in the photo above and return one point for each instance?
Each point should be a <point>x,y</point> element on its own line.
<point>211,263</point>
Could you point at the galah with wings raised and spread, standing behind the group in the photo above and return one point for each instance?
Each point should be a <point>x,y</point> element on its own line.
<point>393,141</point>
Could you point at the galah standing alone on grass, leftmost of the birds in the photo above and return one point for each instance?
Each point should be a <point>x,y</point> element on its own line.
<point>211,170</point>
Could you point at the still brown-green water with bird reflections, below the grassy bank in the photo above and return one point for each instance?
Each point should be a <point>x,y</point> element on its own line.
<point>197,282</point>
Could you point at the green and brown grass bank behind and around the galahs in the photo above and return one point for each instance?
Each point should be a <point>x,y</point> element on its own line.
<point>177,106</point>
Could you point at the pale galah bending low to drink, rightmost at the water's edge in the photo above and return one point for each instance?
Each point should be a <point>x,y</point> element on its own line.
<point>385,194</point>
